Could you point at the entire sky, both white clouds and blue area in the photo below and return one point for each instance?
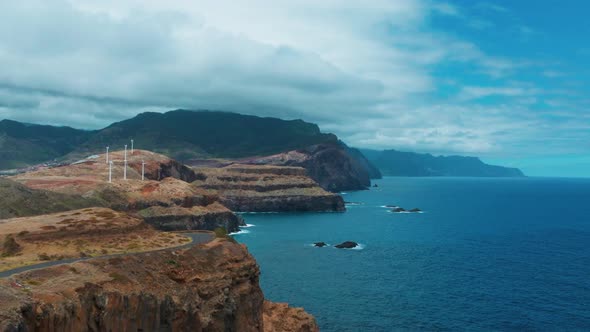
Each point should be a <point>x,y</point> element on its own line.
<point>508,81</point>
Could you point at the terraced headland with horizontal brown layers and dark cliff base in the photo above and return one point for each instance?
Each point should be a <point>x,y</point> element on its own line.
<point>249,188</point>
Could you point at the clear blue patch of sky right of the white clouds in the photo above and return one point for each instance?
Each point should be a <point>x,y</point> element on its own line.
<point>549,42</point>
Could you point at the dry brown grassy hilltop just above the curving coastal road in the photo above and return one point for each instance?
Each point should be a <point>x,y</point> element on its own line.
<point>78,233</point>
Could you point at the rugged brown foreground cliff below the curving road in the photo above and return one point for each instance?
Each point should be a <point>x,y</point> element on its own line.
<point>210,287</point>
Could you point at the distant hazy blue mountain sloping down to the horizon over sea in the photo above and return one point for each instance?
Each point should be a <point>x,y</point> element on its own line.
<point>397,163</point>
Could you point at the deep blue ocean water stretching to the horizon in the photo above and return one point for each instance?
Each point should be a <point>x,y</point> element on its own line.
<point>487,254</point>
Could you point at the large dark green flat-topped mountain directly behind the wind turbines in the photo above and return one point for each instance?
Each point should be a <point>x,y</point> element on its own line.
<point>184,135</point>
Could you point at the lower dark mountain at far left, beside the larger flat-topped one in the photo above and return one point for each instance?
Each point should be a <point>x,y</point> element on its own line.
<point>24,144</point>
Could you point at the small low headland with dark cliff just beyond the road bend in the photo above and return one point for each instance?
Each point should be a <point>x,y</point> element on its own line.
<point>177,218</point>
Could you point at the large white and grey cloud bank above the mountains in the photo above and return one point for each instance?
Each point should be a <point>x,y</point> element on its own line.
<point>364,70</point>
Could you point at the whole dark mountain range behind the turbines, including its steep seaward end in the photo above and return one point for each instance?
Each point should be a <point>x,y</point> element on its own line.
<point>192,135</point>
